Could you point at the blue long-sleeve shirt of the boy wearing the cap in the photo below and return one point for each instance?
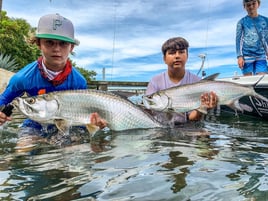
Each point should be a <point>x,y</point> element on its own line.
<point>30,80</point>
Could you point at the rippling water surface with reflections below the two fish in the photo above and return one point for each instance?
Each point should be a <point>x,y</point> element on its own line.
<point>223,159</point>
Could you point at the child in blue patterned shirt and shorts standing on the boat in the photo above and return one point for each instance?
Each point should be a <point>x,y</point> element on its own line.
<point>251,40</point>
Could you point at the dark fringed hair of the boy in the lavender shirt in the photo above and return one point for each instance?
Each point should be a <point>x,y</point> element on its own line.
<point>176,43</point>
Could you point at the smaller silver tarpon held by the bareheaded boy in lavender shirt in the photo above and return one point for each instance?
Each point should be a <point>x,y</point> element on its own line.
<point>185,98</point>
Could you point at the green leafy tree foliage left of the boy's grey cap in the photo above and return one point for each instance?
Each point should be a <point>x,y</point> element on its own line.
<point>14,34</point>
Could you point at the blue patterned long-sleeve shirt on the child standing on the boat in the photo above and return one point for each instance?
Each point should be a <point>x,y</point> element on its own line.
<point>250,43</point>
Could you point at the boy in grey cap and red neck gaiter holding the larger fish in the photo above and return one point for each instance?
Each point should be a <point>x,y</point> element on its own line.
<point>52,71</point>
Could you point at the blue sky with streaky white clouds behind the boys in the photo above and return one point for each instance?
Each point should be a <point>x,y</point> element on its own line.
<point>121,39</point>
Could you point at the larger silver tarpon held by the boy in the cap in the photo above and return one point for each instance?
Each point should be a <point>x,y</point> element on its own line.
<point>73,107</point>
